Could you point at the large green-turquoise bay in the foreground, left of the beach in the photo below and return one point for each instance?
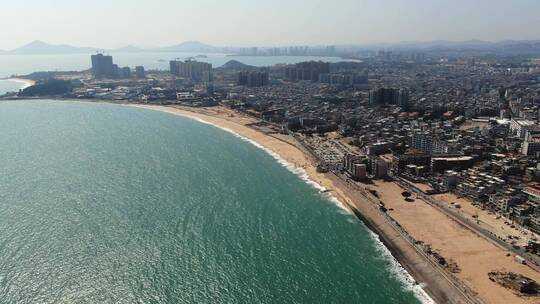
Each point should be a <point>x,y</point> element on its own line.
<point>110,204</point>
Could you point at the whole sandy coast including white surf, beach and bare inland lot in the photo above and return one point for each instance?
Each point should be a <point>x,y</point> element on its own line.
<point>401,231</point>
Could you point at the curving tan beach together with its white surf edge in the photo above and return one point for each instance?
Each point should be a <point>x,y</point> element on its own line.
<point>432,285</point>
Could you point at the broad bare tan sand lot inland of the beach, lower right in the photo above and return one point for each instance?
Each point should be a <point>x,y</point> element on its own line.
<point>474,256</point>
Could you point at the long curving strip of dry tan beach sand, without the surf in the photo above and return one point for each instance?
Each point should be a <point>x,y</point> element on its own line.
<point>436,284</point>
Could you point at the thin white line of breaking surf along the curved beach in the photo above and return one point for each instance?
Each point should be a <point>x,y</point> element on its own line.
<point>396,269</point>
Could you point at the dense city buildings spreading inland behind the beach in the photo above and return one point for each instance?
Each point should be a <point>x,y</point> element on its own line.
<point>459,132</point>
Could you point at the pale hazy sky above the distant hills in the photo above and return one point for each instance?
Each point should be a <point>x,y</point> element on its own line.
<point>116,23</point>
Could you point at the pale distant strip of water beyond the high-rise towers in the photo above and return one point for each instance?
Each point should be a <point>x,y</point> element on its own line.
<point>26,64</point>
